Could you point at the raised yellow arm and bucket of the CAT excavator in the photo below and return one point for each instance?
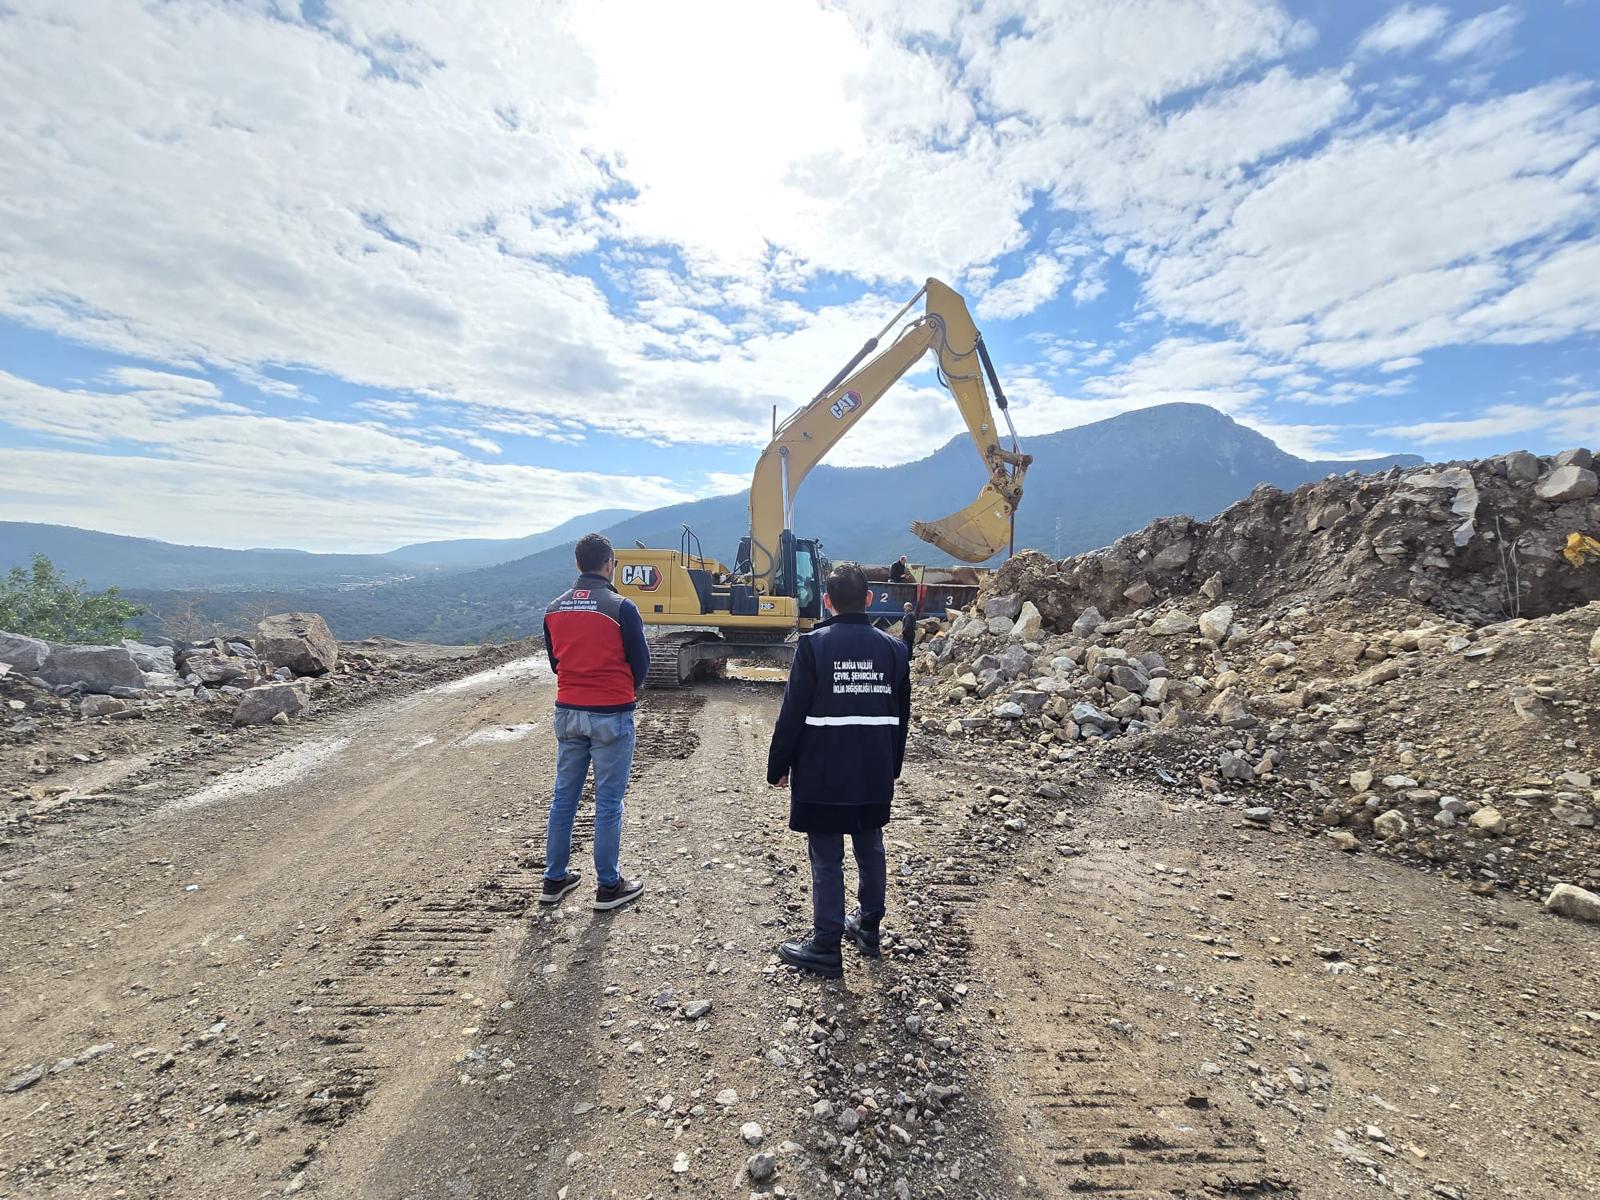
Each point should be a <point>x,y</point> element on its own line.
<point>974,534</point>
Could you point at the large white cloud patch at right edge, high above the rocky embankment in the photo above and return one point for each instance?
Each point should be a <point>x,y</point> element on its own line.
<point>1393,242</point>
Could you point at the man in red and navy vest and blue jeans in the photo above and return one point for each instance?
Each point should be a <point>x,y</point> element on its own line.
<point>596,642</point>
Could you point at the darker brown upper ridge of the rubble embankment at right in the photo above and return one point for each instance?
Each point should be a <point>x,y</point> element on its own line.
<point>1478,542</point>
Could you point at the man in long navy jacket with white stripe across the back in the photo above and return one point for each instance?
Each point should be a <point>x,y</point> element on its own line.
<point>839,746</point>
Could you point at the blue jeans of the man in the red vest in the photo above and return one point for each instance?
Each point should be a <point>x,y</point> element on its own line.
<point>607,742</point>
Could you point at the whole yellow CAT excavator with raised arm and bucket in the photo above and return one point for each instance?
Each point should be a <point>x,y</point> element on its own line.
<point>774,591</point>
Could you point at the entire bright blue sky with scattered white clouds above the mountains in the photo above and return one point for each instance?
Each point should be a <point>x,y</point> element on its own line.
<point>343,274</point>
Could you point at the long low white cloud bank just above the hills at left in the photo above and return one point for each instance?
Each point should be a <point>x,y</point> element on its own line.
<point>142,460</point>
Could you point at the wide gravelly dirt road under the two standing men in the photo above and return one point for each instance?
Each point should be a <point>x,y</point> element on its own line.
<point>327,975</point>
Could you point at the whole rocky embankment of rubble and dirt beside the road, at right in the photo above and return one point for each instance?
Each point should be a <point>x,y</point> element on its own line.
<point>1404,665</point>
